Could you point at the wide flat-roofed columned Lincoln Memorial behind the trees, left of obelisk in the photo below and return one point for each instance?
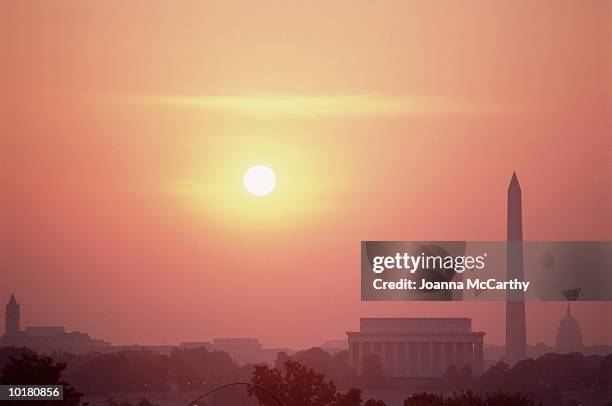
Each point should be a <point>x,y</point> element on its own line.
<point>417,347</point>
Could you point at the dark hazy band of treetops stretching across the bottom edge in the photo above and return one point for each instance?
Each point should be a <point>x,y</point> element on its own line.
<point>308,378</point>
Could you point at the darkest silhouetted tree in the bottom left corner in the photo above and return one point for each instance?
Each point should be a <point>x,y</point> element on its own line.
<point>34,369</point>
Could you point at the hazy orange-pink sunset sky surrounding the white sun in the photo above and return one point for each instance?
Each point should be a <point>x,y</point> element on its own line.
<point>126,128</point>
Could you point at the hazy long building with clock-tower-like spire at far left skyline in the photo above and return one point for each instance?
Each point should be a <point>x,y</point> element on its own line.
<point>46,339</point>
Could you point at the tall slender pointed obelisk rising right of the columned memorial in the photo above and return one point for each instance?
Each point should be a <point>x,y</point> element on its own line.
<point>516,335</point>
